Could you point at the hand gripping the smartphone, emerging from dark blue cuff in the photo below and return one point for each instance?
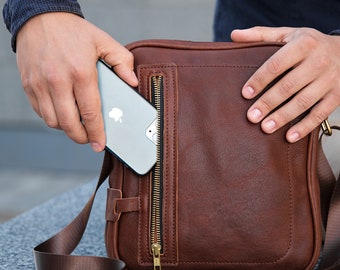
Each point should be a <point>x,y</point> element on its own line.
<point>56,57</point>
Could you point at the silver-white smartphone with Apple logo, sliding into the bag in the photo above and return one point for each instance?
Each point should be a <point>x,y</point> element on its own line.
<point>130,121</point>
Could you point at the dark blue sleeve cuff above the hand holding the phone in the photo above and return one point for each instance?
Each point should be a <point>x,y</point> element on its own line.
<point>17,12</point>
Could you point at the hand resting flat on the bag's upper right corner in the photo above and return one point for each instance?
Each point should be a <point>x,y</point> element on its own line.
<point>314,80</point>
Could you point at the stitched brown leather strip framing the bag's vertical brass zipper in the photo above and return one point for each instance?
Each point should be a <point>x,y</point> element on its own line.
<point>158,242</point>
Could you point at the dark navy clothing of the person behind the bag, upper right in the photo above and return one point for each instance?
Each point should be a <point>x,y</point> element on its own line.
<point>323,15</point>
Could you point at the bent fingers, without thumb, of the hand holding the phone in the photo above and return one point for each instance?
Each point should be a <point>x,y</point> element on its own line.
<point>63,100</point>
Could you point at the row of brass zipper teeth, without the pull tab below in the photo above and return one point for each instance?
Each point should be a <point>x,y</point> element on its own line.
<point>155,233</point>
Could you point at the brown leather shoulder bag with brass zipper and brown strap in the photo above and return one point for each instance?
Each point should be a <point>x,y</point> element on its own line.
<point>223,195</point>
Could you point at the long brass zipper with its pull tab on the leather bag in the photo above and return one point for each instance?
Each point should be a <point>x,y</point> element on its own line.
<point>156,239</point>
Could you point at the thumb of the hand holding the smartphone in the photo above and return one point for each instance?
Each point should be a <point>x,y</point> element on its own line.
<point>120,58</point>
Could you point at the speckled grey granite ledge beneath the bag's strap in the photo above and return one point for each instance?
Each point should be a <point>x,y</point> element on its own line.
<point>20,235</point>
